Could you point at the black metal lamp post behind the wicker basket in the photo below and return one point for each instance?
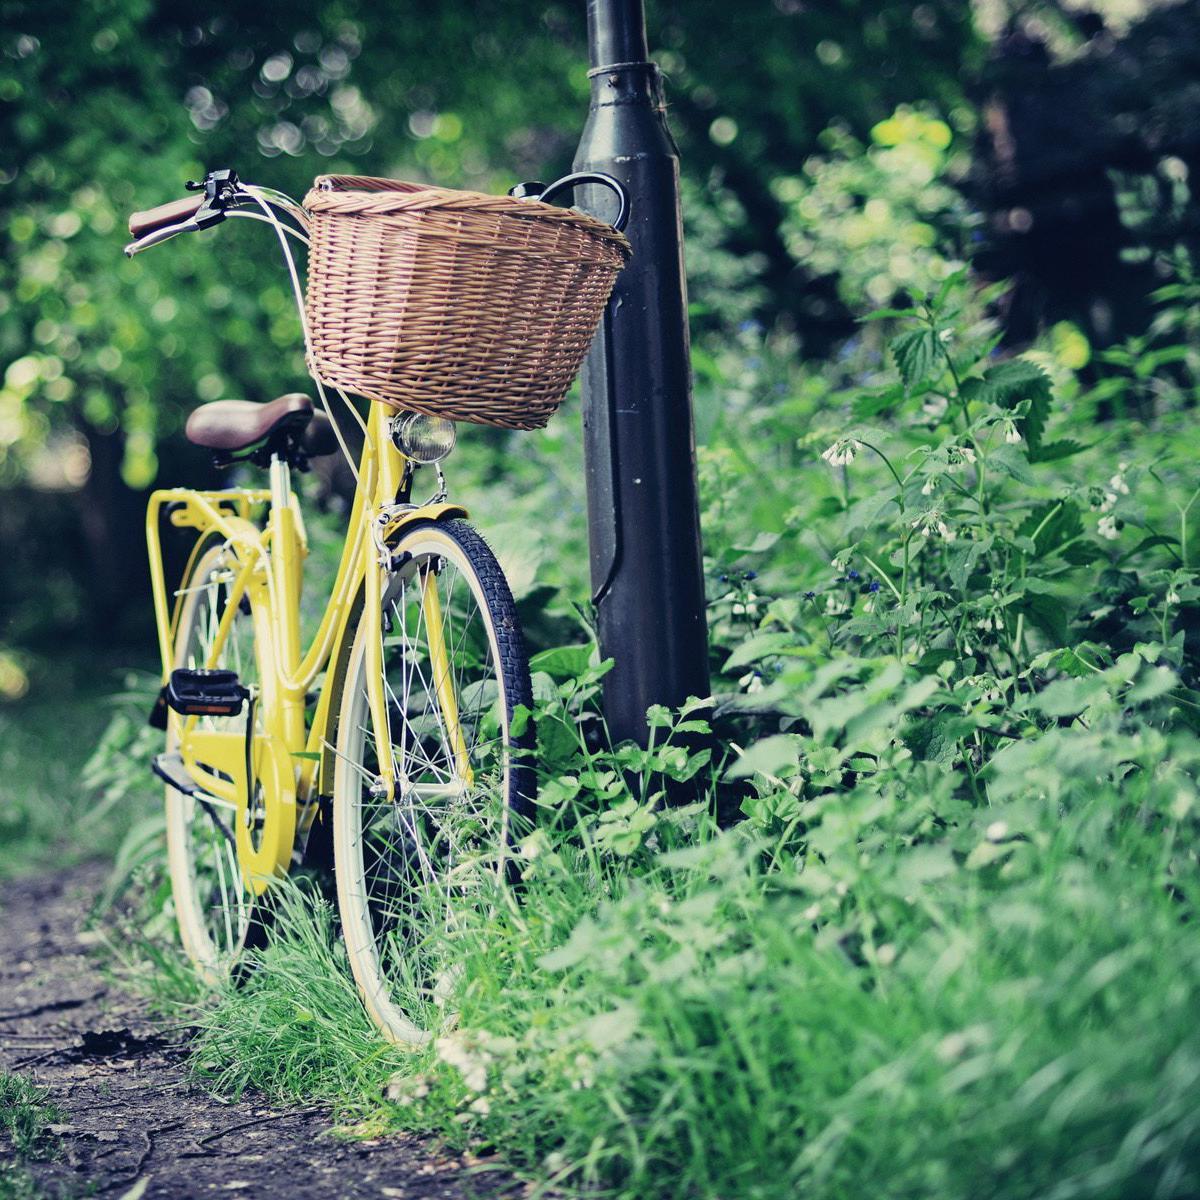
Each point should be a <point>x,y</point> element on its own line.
<point>647,573</point>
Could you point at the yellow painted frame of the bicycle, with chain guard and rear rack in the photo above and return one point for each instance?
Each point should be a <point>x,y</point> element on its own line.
<point>293,764</point>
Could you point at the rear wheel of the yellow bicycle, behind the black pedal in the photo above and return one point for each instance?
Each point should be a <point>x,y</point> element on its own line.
<point>214,909</point>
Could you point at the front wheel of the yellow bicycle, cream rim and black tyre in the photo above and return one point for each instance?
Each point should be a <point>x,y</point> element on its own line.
<point>411,871</point>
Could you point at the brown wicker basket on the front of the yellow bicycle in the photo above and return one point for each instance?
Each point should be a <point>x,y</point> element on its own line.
<point>461,305</point>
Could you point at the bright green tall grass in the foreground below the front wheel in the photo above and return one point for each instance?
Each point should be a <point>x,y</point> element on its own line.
<point>706,1027</point>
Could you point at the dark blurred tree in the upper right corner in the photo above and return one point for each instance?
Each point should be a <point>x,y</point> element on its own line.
<point>1090,135</point>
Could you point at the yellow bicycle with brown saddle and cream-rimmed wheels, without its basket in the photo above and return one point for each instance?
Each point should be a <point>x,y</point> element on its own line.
<point>392,735</point>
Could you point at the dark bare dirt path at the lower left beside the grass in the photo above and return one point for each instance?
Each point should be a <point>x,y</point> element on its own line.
<point>133,1113</point>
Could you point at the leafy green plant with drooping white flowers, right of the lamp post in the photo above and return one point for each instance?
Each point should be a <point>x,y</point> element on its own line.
<point>989,580</point>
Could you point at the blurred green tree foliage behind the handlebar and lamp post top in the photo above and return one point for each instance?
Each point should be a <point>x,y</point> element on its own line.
<point>110,105</point>
